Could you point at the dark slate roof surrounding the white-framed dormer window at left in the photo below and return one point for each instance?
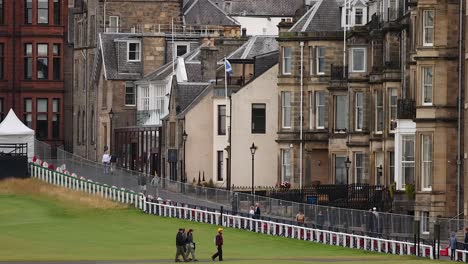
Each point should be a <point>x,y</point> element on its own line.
<point>110,55</point>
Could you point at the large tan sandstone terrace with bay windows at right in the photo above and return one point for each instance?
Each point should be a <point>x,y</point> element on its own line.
<point>379,119</point>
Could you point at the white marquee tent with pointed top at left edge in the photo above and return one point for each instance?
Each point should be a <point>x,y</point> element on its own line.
<point>13,131</point>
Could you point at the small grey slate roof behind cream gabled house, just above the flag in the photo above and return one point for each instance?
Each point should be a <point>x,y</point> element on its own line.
<point>255,46</point>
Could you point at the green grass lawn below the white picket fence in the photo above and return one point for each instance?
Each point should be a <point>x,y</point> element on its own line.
<point>39,227</point>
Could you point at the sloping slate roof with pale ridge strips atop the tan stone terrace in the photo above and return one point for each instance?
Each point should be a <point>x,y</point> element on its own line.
<point>323,16</point>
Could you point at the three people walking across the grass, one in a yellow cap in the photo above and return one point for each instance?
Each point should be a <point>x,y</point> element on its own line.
<point>185,246</point>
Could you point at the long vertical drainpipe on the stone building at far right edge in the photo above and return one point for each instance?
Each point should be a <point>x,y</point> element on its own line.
<point>460,74</point>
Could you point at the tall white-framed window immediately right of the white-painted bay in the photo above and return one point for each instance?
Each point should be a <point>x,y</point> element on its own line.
<point>427,159</point>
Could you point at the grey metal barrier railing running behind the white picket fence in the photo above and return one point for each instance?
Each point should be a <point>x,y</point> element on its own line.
<point>381,224</point>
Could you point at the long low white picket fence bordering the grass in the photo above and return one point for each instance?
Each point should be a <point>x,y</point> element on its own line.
<point>216,218</point>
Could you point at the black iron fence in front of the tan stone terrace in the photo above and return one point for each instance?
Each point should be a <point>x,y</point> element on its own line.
<point>355,196</point>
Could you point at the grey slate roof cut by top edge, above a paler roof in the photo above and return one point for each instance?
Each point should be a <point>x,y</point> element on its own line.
<point>286,8</point>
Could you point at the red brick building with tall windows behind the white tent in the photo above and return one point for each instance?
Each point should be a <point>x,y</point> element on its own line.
<point>33,37</point>
